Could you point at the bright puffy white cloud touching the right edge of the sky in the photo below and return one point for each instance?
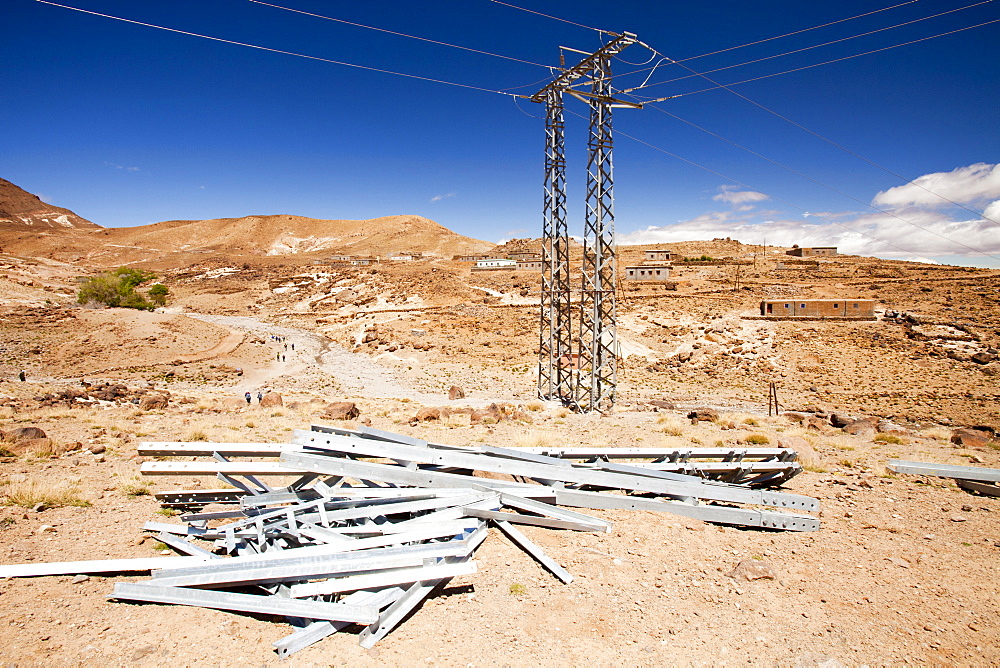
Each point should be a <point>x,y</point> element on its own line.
<point>963,185</point>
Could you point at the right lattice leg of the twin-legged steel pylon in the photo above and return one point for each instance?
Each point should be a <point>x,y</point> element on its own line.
<point>598,344</point>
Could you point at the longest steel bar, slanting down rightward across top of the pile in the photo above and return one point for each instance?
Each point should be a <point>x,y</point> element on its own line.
<point>572,474</point>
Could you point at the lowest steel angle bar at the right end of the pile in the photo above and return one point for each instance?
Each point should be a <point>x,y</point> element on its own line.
<point>707,513</point>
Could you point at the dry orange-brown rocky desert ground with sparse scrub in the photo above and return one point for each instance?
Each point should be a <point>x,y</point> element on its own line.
<point>901,572</point>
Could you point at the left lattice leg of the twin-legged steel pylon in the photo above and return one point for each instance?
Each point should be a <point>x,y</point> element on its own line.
<point>555,344</point>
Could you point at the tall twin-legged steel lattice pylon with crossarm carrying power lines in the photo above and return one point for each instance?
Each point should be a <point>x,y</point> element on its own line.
<point>579,366</point>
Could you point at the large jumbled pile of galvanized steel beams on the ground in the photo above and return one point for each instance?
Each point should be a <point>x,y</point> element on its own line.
<point>372,522</point>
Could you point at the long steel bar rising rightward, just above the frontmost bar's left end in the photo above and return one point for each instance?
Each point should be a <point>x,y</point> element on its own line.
<point>238,570</point>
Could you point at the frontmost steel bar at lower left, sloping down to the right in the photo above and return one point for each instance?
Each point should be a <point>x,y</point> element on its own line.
<point>269,605</point>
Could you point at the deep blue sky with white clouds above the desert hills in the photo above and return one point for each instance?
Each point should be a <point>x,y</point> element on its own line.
<point>129,125</point>
